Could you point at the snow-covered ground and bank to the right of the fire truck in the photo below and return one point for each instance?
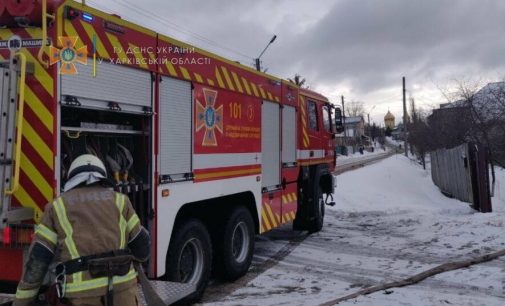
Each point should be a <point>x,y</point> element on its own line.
<point>390,222</point>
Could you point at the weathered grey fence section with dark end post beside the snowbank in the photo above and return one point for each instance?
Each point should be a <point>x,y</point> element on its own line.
<point>462,173</point>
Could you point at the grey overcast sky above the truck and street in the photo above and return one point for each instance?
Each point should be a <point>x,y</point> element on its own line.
<point>356,48</point>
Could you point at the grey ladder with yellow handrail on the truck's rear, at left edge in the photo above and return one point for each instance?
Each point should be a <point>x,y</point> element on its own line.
<point>12,73</point>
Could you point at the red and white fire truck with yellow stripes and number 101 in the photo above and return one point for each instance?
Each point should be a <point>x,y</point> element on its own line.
<point>209,151</point>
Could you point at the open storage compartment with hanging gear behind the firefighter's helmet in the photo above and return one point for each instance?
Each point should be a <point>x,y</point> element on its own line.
<point>121,140</point>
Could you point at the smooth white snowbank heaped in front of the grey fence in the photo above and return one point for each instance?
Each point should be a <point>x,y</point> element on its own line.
<point>395,183</point>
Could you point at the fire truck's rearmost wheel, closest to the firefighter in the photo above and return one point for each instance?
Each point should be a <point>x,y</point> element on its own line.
<point>189,257</point>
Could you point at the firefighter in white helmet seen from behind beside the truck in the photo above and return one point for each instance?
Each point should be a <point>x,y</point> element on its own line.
<point>92,234</point>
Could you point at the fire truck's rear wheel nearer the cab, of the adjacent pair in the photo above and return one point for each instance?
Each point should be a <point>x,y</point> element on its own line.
<point>235,245</point>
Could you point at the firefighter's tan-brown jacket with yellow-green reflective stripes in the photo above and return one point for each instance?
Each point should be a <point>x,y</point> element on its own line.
<point>81,222</point>
